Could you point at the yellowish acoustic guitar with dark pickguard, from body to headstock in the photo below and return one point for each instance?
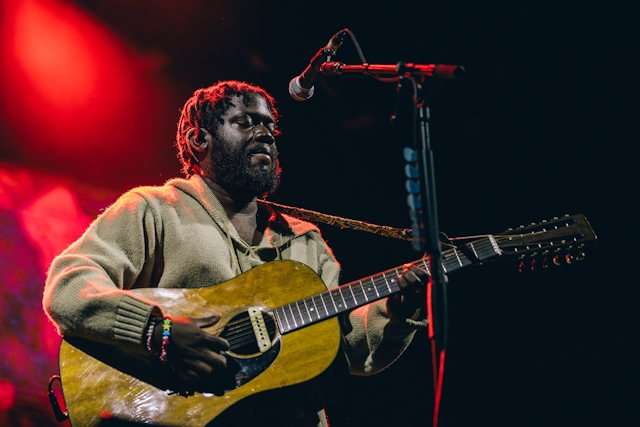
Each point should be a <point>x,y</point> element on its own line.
<point>282,327</point>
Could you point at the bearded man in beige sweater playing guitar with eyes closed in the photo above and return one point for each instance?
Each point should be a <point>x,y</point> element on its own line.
<point>203,231</point>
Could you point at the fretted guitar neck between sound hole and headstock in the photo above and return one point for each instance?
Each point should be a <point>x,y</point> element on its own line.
<point>352,295</point>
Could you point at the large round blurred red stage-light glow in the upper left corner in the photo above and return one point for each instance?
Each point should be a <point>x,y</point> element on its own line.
<point>72,92</point>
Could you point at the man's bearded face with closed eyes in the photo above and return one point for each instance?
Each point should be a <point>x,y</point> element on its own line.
<point>243,151</point>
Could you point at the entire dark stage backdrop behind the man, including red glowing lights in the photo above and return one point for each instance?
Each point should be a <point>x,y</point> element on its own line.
<point>90,96</point>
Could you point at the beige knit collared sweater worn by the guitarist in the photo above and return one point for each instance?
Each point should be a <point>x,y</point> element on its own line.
<point>175,236</point>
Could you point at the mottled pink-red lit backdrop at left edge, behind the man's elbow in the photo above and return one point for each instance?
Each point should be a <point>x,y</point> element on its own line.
<point>40,214</point>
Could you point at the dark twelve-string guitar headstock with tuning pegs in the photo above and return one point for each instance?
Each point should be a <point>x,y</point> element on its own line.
<point>557,241</point>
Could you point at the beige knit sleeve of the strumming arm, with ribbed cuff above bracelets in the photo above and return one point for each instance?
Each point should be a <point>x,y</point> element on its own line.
<point>86,289</point>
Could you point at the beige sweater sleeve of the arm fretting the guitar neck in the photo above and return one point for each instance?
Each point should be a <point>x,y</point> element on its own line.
<point>372,341</point>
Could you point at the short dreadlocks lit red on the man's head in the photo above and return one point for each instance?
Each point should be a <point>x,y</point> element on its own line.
<point>203,111</point>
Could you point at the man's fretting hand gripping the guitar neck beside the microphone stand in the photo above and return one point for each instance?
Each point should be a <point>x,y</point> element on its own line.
<point>411,301</point>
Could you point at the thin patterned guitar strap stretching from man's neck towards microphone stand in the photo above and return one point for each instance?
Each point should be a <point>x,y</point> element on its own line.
<point>354,224</point>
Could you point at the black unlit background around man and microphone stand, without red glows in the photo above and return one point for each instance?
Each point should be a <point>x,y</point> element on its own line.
<point>535,130</point>
